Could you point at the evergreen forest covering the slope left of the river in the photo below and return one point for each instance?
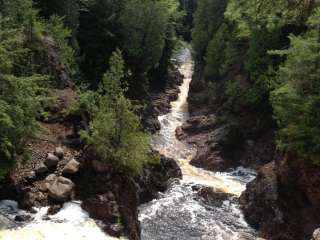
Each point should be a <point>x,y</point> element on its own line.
<point>139,42</point>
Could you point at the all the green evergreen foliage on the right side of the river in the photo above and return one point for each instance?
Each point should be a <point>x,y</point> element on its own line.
<point>241,65</point>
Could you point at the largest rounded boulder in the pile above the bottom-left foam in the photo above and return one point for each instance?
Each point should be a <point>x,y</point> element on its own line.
<point>61,189</point>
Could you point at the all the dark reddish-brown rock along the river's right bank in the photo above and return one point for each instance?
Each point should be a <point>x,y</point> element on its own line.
<point>283,201</point>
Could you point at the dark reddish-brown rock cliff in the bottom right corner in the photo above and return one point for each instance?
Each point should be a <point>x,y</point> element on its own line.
<point>284,200</point>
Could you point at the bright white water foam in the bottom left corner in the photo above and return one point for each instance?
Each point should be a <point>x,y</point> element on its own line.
<point>70,223</point>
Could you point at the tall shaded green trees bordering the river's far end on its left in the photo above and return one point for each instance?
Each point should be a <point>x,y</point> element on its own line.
<point>145,30</point>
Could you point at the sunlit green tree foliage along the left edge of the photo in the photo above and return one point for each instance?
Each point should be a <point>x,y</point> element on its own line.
<point>21,89</point>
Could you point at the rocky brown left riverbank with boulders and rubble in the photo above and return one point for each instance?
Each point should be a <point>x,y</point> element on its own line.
<point>60,170</point>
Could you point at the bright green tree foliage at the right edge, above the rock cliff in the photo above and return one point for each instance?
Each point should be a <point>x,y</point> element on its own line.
<point>296,99</point>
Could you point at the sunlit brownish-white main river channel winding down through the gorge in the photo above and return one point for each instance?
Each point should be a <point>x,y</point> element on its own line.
<point>179,213</point>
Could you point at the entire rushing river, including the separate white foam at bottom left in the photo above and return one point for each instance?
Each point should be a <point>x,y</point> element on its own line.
<point>178,214</point>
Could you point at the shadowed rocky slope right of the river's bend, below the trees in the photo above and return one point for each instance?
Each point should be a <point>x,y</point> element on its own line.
<point>225,137</point>
